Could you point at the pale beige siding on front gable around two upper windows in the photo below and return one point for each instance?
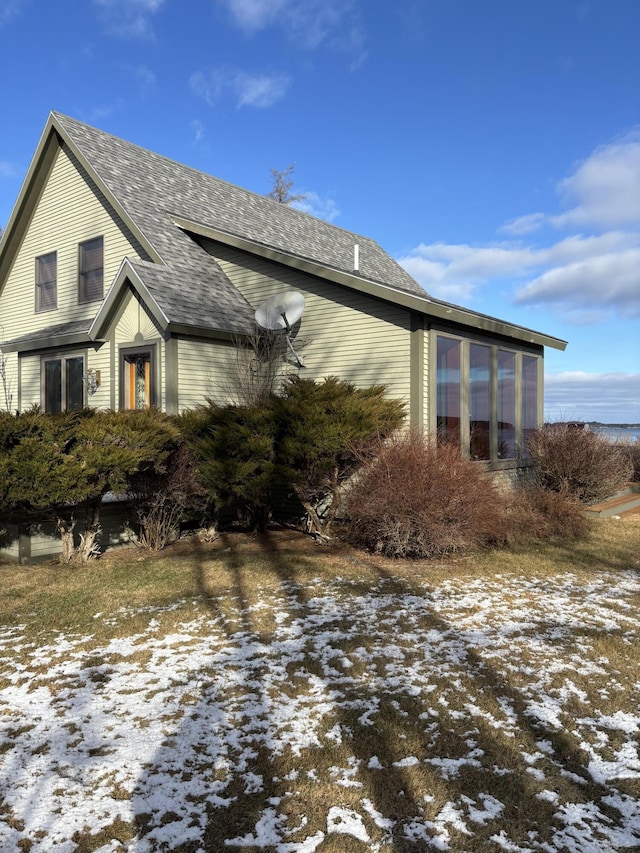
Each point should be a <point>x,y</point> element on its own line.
<point>69,211</point>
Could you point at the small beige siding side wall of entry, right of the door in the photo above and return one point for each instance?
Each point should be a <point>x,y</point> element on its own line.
<point>205,370</point>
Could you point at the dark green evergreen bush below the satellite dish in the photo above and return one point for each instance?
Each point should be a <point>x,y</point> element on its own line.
<point>307,441</point>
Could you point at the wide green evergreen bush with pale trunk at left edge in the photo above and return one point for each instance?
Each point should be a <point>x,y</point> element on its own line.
<point>61,466</point>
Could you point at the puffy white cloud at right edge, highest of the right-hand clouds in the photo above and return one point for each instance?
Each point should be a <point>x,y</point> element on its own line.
<point>606,187</point>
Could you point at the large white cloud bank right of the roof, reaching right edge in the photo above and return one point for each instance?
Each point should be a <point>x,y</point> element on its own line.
<point>586,276</point>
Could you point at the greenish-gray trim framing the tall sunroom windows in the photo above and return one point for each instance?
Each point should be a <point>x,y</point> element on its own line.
<point>495,345</point>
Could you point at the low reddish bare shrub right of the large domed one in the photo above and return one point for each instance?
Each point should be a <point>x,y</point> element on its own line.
<point>535,513</point>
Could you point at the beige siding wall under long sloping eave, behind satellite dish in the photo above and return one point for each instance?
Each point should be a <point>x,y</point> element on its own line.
<point>347,334</point>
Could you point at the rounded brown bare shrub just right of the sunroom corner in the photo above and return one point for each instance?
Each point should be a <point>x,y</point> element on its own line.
<point>578,462</point>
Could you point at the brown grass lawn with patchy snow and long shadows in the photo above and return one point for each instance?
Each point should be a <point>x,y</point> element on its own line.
<point>268,693</point>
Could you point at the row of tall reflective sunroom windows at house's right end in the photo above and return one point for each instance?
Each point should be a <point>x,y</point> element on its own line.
<point>487,397</point>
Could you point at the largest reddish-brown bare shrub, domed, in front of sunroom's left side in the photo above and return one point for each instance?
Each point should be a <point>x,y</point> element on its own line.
<point>420,500</point>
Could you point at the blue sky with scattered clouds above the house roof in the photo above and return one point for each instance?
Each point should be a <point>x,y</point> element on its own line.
<point>491,146</point>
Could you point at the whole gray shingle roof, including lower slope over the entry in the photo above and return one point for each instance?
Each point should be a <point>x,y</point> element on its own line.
<point>192,288</point>
